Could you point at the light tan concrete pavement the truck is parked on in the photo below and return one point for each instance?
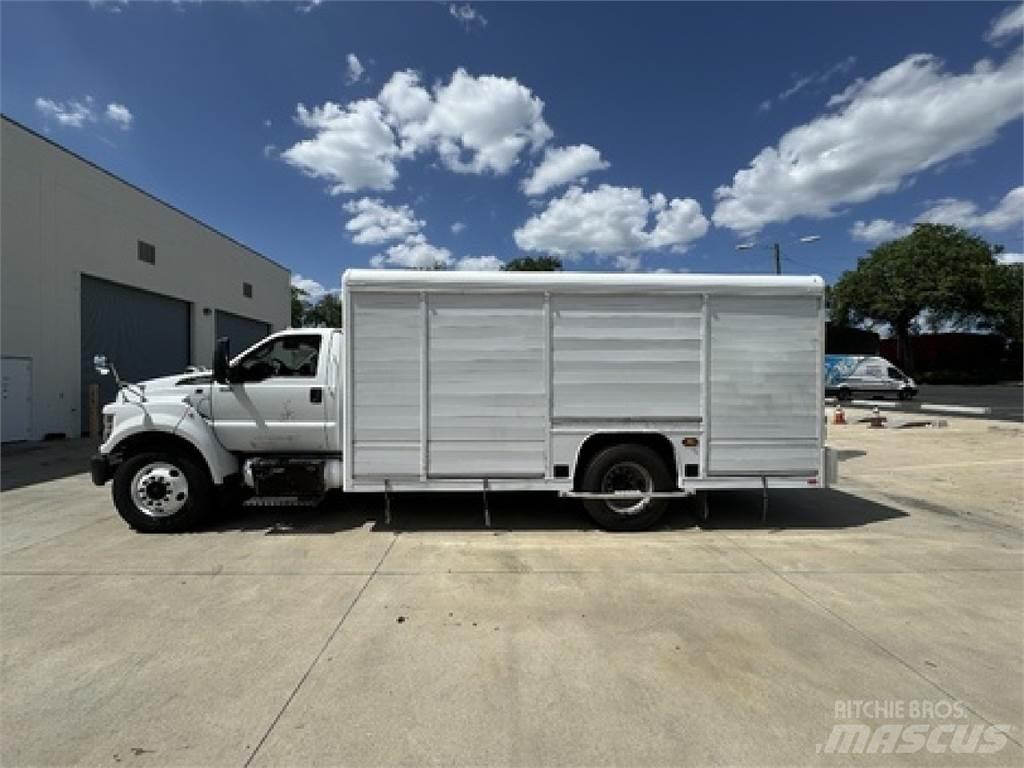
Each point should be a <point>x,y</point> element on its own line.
<point>295,637</point>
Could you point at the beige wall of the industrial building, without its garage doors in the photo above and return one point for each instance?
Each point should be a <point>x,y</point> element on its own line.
<point>64,218</point>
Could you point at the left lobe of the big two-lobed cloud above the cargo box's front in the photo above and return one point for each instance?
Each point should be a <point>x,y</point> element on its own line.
<point>354,148</point>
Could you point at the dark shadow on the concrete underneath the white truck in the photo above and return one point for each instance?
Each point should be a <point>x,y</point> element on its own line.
<point>544,513</point>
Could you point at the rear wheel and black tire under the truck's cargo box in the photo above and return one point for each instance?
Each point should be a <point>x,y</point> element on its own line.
<point>603,475</point>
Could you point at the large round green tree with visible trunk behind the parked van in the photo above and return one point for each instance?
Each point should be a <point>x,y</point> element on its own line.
<point>937,268</point>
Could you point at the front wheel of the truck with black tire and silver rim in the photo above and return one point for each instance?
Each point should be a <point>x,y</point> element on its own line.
<point>163,511</point>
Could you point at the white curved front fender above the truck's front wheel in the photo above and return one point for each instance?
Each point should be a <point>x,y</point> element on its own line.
<point>182,422</point>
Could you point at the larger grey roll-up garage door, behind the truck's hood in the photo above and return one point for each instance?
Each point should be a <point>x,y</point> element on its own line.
<point>143,334</point>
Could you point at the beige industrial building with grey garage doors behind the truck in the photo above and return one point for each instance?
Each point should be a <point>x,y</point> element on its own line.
<point>91,265</point>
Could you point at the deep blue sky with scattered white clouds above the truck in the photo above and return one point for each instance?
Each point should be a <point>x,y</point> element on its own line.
<point>620,137</point>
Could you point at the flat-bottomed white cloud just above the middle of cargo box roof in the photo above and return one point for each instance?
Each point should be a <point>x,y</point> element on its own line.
<point>612,221</point>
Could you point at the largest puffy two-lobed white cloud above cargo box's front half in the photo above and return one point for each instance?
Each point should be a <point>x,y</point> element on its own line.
<point>477,125</point>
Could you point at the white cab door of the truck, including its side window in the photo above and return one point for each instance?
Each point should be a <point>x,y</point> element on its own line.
<point>274,402</point>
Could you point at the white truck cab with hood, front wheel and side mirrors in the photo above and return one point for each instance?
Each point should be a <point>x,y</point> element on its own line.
<point>268,421</point>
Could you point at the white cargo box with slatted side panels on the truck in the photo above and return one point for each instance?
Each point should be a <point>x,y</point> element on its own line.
<point>454,378</point>
